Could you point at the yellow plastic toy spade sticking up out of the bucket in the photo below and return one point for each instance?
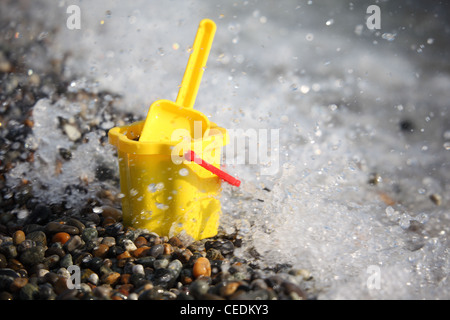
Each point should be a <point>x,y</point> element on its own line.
<point>166,116</point>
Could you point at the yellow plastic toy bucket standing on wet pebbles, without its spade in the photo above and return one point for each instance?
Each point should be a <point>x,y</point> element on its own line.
<point>164,195</point>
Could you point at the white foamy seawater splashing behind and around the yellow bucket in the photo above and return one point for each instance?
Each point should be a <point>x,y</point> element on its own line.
<point>350,104</point>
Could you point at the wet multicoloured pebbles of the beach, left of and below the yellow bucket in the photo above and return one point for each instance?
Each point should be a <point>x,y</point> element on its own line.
<point>40,240</point>
